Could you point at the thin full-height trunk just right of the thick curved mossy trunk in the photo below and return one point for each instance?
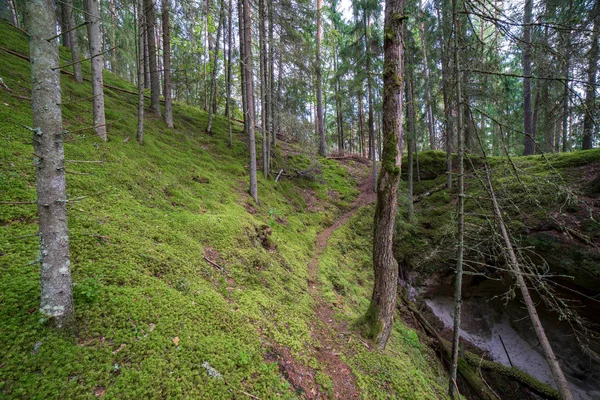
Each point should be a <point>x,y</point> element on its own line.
<point>461,205</point>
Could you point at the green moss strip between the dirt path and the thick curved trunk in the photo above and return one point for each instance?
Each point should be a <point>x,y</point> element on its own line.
<point>407,368</point>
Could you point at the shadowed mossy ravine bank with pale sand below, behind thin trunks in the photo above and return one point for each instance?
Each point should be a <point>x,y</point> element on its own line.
<point>552,206</point>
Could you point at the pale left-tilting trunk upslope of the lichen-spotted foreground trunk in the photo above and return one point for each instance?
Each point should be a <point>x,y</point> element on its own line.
<point>93,27</point>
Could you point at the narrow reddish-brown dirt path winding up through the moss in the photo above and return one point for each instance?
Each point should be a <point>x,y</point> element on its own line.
<point>330,335</point>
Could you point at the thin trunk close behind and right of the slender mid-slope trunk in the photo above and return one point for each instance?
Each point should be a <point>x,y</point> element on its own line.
<point>264,79</point>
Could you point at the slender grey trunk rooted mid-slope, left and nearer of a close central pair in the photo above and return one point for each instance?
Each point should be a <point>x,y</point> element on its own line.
<point>249,81</point>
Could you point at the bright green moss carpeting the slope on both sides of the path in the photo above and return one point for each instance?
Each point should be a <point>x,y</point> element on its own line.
<point>153,318</point>
